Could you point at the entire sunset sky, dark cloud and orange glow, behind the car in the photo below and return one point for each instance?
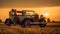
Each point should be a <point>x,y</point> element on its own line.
<point>51,7</point>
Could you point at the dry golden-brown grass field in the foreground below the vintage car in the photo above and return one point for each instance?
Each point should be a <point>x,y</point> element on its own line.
<point>16,29</point>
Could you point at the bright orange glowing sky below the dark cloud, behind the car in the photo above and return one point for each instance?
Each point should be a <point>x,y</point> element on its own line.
<point>53,12</point>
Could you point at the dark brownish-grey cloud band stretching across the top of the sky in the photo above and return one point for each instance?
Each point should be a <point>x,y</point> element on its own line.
<point>28,3</point>
